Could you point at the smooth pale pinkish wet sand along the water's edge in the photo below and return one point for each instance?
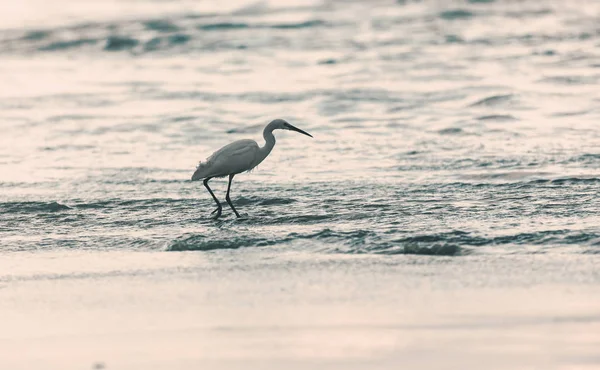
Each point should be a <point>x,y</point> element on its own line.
<point>245,309</point>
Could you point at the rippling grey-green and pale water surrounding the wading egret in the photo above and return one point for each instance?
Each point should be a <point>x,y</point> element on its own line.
<point>464,129</point>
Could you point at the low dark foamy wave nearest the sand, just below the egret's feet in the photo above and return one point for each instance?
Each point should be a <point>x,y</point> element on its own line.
<point>454,243</point>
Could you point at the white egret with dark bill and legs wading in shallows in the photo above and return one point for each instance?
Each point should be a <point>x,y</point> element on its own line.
<point>237,157</point>
